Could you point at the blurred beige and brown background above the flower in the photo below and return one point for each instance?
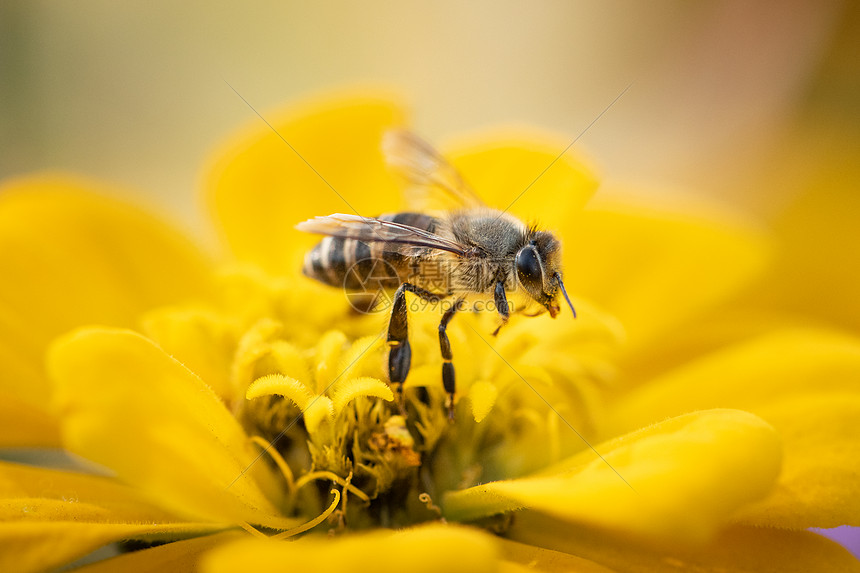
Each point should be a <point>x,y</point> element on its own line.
<point>135,93</point>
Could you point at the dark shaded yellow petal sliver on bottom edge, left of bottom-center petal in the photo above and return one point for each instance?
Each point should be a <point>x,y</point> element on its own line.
<point>182,555</point>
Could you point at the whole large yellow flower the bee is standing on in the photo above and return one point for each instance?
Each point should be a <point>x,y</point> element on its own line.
<point>655,432</point>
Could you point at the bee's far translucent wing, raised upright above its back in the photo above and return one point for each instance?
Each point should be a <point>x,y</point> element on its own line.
<point>435,183</point>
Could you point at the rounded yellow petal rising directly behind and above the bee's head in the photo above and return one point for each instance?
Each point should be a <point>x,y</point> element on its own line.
<point>525,170</point>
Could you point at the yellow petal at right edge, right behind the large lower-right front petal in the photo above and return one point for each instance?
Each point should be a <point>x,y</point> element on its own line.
<point>818,486</point>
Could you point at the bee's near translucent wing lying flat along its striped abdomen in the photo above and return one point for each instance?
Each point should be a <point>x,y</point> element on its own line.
<point>372,230</point>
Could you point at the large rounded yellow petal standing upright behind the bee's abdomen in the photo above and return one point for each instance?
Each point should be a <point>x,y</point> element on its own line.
<point>259,187</point>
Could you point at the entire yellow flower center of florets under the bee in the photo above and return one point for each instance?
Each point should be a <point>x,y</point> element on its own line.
<point>317,401</point>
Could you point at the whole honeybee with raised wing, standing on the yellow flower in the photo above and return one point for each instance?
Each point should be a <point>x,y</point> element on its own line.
<point>482,254</point>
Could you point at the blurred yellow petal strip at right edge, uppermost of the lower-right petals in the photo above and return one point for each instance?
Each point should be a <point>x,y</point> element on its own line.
<point>745,376</point>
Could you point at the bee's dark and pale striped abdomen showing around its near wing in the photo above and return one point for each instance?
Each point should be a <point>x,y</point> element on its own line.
<point>353,264</point>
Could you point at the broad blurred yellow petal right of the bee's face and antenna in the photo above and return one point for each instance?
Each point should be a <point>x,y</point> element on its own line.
<point>654,270</point>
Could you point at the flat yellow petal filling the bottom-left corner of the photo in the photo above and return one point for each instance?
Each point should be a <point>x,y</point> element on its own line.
<point>38,546</point>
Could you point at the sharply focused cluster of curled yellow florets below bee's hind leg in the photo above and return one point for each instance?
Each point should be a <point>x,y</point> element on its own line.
<point>340,424</point>
